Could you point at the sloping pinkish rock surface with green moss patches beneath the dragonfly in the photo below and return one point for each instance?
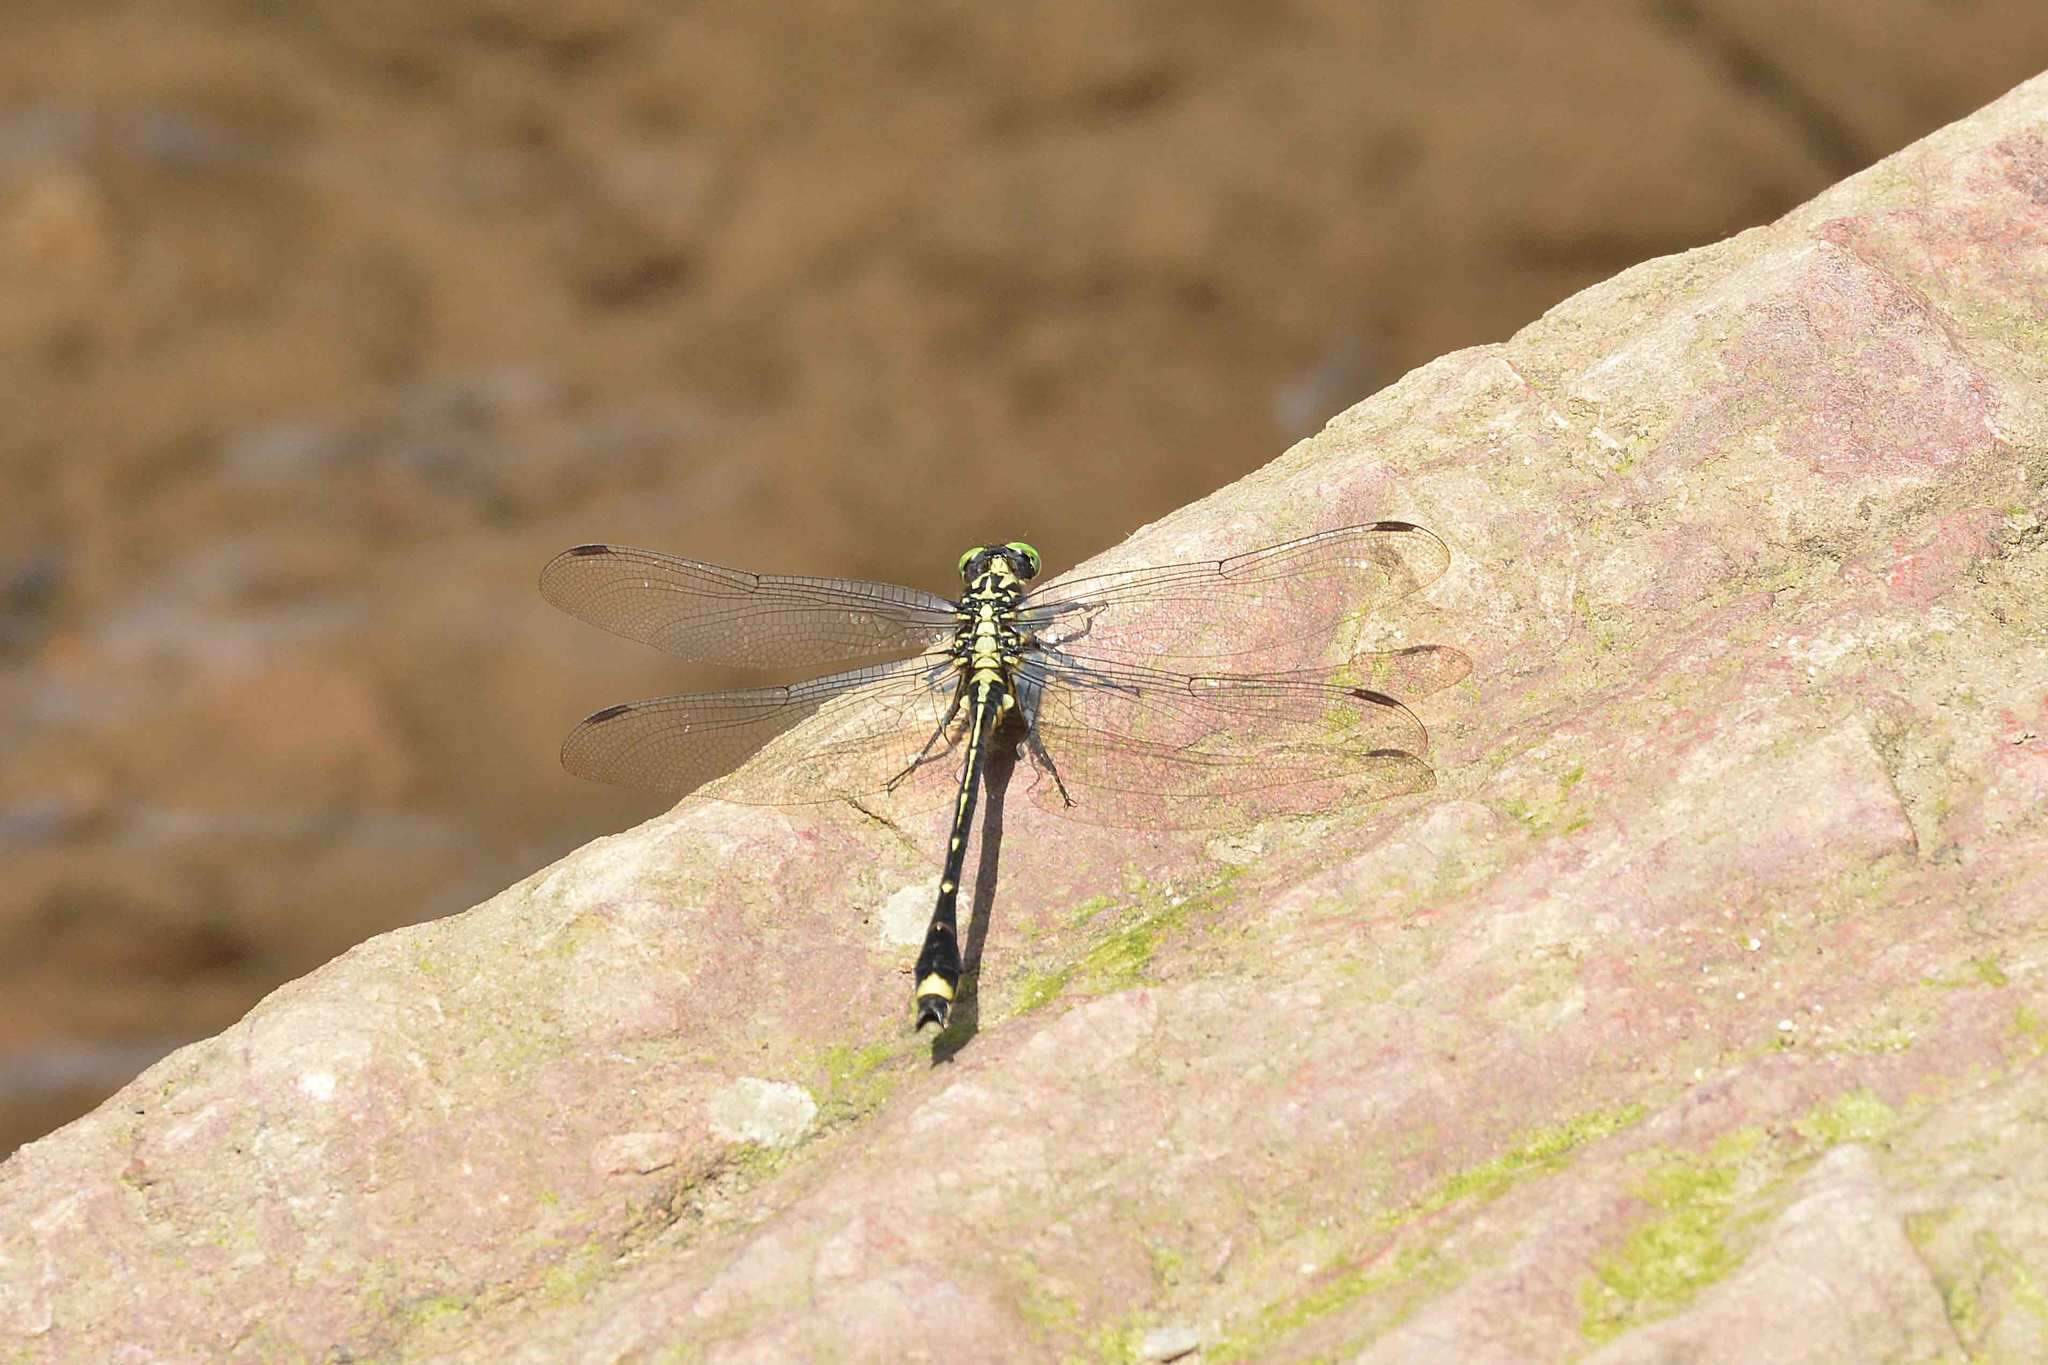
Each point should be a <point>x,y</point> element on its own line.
<point>1699,1014</point>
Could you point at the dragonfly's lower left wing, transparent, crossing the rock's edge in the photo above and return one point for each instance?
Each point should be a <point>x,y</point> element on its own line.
<point>867,728</point>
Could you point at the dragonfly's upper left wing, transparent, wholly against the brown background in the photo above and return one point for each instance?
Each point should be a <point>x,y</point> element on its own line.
<point>732,617</point>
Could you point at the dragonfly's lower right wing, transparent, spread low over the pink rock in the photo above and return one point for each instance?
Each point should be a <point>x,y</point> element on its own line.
<point>1134,746</point>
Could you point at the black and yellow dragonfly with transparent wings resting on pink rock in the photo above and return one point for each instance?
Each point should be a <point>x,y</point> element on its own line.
<point>1125,695</point>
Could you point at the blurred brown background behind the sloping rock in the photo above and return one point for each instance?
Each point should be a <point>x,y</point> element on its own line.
<point>329,322</point>
